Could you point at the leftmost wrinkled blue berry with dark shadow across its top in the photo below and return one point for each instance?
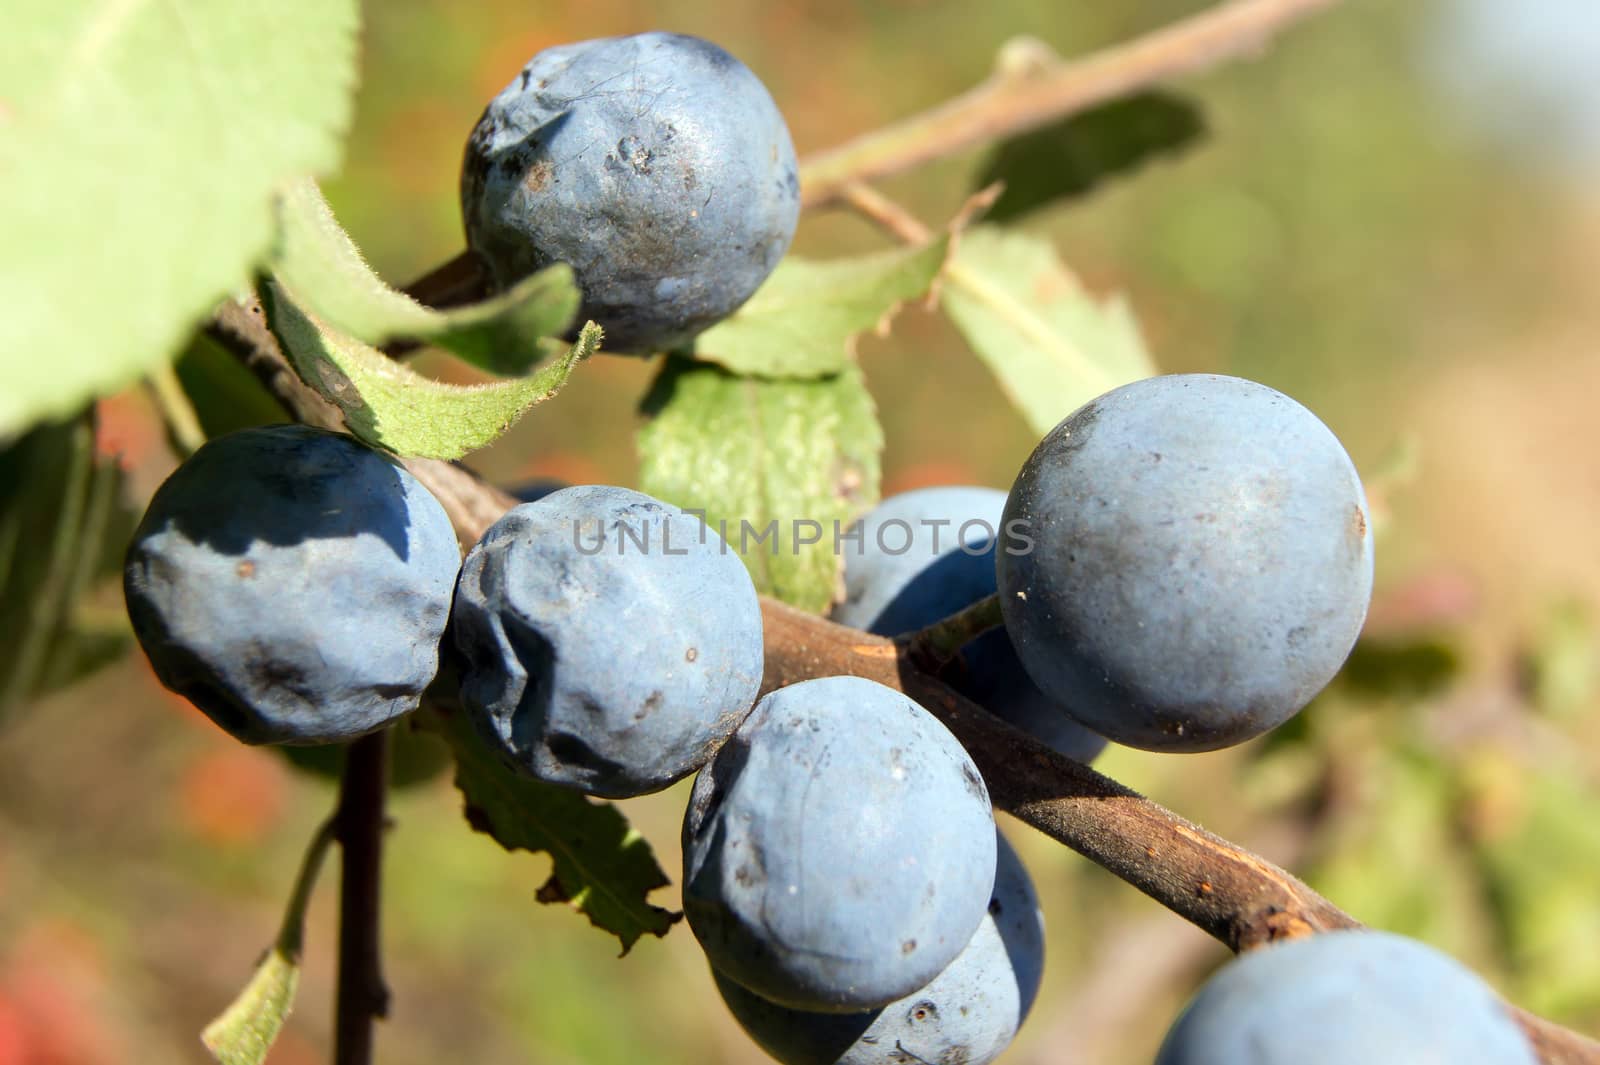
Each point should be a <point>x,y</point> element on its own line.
<point>294,584</point>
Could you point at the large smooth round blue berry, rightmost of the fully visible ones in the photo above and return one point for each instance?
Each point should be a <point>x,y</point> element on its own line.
<point>1193,562</point>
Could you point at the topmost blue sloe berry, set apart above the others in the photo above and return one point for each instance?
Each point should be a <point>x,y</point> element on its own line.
<point>655,166</point>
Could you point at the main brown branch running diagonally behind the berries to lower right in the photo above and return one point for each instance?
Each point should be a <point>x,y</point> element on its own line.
<point>1241,899</point>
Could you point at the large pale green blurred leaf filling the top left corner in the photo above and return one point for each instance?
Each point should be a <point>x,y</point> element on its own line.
<point>142,145</point>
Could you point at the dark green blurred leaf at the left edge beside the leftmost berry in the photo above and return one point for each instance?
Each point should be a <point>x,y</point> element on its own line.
<point>63,527</point>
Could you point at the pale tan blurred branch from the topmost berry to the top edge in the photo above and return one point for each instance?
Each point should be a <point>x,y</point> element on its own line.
<point>1031,89</point>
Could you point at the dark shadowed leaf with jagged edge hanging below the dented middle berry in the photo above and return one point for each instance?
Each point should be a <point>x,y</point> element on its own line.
<point>599,864</point>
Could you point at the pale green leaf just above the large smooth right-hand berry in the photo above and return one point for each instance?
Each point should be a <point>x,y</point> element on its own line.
<point>1050,345</point>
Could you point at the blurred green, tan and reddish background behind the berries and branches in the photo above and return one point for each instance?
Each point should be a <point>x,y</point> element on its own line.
<point>1391,217</point>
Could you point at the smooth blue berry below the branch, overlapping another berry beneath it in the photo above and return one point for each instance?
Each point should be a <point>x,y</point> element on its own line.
<point>839,852</point>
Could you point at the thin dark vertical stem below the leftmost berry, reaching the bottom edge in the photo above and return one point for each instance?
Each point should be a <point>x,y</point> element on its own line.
<point>362,995</point>
